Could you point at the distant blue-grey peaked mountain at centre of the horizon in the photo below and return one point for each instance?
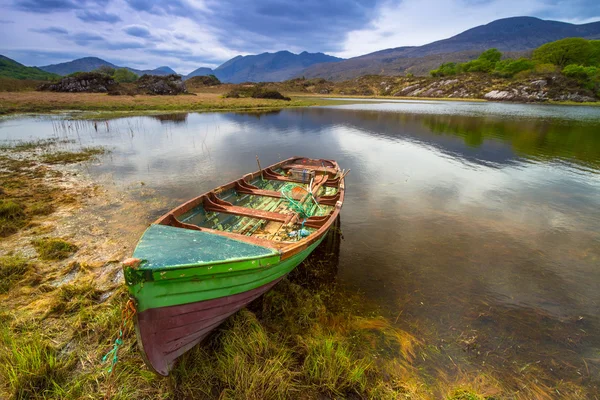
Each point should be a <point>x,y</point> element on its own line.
<point>269,67</point>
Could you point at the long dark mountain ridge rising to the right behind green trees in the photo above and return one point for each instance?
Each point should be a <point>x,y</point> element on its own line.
<point>517,35</point>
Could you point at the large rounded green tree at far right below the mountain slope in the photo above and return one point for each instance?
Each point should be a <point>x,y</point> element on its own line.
<point>564,52</point>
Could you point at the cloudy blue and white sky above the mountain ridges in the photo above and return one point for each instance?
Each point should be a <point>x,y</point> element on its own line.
<point>187,34</point>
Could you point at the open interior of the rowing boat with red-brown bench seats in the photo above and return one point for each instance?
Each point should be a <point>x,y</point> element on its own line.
<point>283,203</point>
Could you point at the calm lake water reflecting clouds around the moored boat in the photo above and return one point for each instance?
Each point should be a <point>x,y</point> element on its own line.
<point>475,226</point>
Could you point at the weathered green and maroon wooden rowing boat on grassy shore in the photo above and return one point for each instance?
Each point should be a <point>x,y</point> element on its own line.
<point>204,260</point>
